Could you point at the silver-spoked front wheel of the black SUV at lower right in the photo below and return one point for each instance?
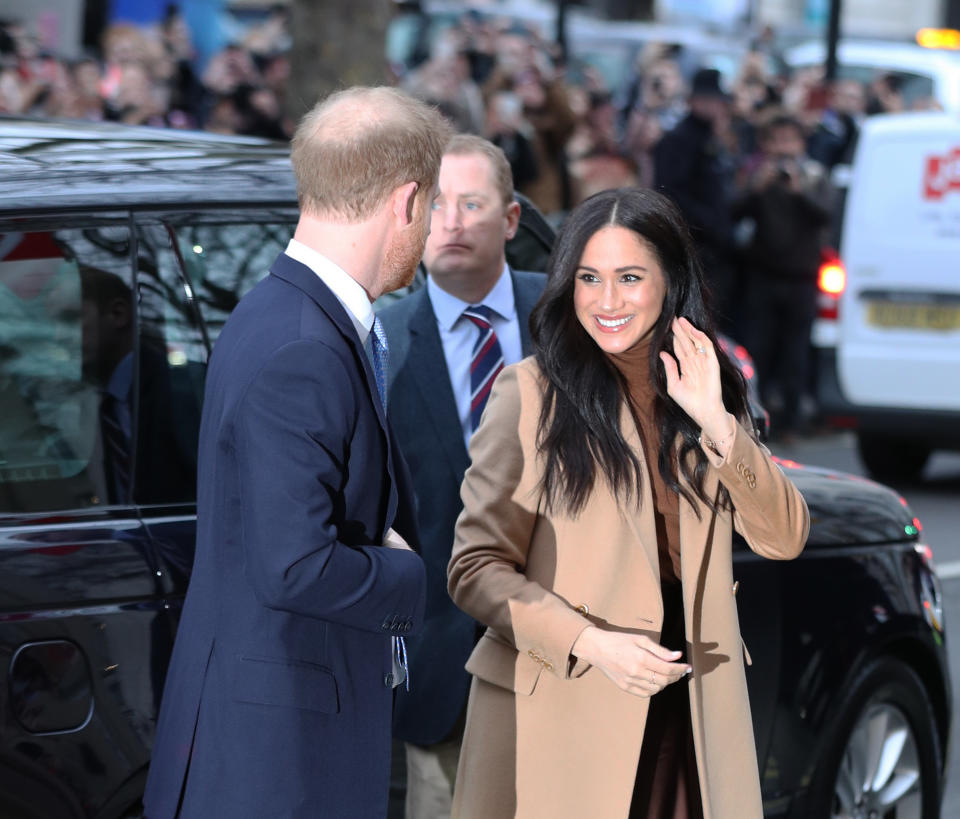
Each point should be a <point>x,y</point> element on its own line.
<point>882,758</point>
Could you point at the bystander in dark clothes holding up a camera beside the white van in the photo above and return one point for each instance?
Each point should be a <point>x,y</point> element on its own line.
<point>786,210</point>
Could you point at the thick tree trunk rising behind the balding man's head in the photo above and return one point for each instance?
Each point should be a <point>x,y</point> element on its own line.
<point>336,44</point>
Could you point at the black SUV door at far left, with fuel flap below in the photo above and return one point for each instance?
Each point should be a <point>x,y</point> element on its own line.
<point>78,576</point>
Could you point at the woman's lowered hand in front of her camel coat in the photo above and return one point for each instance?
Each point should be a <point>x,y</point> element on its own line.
<point>632,662</point>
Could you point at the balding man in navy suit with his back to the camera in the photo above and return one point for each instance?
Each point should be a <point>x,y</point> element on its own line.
<point>280,691</point>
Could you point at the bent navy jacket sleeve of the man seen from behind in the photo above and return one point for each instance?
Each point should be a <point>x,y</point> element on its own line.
<point>292,434</point>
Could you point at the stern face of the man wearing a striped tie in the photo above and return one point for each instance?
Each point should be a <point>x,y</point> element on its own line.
<point>470,224</point>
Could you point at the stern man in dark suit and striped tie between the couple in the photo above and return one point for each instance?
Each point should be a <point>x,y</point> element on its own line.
<point>434,405</point>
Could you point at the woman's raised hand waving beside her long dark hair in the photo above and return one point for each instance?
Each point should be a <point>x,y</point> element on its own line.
<point>695,385</point>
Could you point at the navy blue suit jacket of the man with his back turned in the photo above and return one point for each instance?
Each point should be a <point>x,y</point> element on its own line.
<point>278,698</point>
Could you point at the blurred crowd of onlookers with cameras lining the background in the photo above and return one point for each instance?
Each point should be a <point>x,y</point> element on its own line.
<point>747,161</point>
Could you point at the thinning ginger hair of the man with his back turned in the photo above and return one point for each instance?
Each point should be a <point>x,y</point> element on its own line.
<point>359,145</point>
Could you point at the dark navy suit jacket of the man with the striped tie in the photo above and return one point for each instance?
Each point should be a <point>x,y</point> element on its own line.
<point>423,413</point>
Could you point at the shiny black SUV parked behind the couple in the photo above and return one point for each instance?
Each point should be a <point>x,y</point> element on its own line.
<point>122,252</point>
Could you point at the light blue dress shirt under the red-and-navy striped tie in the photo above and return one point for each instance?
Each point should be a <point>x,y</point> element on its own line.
<point>459,334</point>
